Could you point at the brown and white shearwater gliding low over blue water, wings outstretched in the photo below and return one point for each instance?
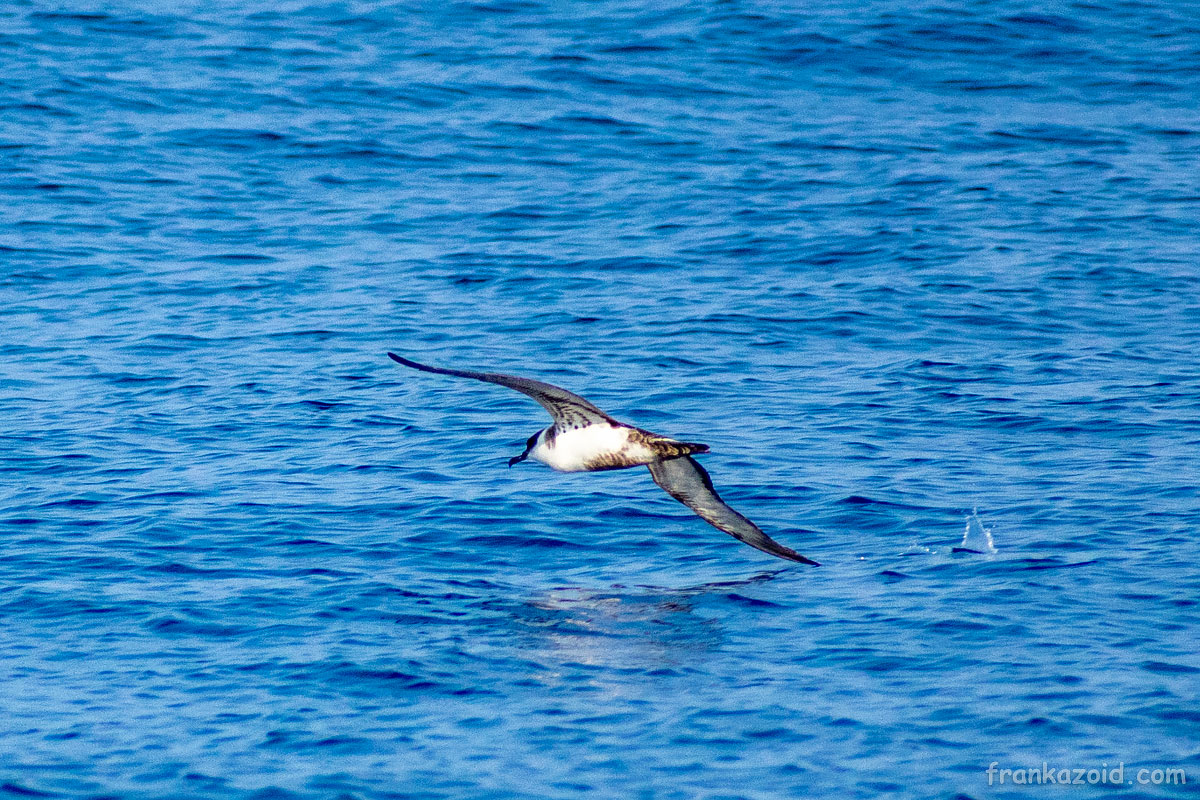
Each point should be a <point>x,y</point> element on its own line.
<point>585,440</point>
